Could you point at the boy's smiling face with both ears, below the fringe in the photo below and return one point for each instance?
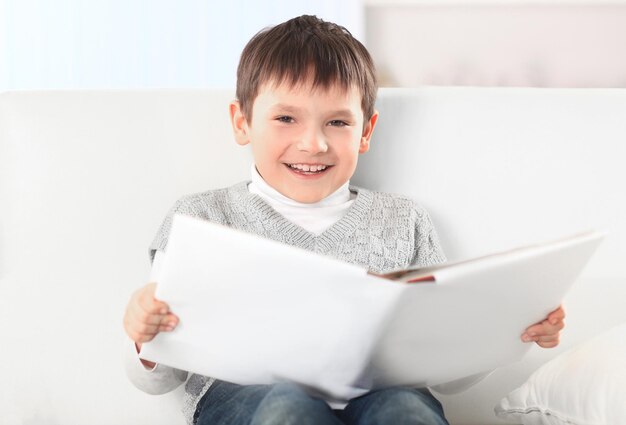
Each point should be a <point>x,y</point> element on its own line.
<point>305,141</point>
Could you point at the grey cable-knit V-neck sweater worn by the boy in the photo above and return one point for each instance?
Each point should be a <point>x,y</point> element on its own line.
<point>380,232</point>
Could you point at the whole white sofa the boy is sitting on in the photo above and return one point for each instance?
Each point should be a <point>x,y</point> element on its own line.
<point>87,176</point>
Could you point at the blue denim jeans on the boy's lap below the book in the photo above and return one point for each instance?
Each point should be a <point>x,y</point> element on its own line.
<point>285,404</point>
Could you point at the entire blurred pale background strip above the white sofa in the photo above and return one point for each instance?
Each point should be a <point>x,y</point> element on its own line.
<point>116,44</point>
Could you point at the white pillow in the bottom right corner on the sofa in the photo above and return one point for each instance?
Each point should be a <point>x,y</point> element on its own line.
<point>583,386</point>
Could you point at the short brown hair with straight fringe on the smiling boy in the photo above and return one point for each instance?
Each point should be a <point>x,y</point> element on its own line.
<point>301,48</point>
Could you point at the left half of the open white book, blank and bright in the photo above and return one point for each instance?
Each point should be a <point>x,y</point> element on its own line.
<point>254,310</point>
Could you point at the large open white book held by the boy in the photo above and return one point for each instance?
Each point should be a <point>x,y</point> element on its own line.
<point>254,310</point>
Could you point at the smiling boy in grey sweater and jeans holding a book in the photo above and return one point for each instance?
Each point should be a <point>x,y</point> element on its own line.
<point>305,103</point>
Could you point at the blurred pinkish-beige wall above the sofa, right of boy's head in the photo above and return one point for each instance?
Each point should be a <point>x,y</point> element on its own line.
<point>499,43</point>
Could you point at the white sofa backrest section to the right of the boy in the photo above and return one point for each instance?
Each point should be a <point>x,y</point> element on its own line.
<point>498,167</point>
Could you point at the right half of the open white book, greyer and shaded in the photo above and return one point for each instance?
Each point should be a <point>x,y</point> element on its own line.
<point>471,318</point>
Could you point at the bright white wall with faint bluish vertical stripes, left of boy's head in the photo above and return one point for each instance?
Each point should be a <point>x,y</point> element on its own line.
<point>66,44</point>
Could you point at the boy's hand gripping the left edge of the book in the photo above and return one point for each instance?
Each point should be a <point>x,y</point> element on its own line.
<point>146,316</point>
